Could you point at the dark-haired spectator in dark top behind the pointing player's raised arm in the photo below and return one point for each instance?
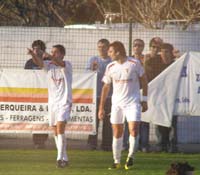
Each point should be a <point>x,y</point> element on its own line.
<point>39,138</point>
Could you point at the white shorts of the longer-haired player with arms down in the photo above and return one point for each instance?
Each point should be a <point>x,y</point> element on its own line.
<point>131,113</point>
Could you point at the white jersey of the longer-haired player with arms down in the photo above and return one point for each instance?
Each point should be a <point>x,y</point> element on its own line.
<point>125,79</point>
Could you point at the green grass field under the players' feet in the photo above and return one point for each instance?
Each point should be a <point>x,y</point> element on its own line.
<point>42,162</point>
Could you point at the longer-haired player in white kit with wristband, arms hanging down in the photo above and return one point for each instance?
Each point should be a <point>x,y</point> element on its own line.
<point>124,73</point>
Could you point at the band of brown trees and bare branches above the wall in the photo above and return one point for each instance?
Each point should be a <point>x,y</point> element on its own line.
<point>150,13</point>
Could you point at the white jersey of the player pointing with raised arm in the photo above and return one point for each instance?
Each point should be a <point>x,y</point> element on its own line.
<point>59,83</point>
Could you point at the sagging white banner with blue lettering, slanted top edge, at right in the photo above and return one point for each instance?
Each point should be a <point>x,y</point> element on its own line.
<point>176,91</point>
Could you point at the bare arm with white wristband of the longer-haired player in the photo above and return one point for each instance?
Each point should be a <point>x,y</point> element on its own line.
<point>144,84</point>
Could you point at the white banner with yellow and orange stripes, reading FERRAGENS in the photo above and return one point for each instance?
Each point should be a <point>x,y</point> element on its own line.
<point>24,97</point>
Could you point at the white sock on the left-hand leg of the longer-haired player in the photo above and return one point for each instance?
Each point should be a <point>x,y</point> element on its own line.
<point>117,148</point>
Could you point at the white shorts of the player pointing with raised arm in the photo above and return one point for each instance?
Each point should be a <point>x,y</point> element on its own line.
<point>59,114</point>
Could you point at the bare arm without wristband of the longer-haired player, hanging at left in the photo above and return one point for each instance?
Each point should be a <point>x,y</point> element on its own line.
<point>104,94</point>
